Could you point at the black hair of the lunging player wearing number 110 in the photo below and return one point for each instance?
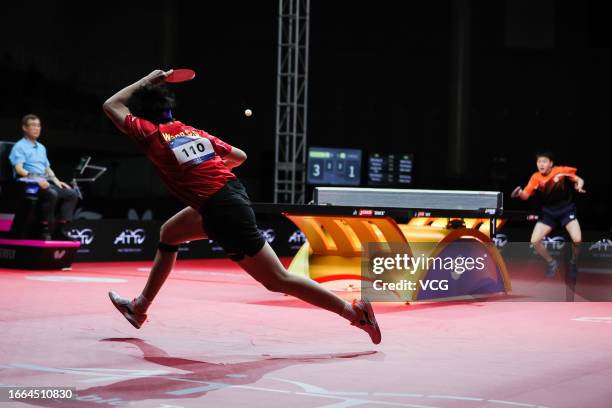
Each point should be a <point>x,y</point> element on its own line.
<point>153,103</point>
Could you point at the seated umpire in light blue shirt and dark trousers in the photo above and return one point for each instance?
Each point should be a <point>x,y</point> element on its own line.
<point>57,199</point>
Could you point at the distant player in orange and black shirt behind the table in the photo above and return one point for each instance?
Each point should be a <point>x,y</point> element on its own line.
<point>558,208</point>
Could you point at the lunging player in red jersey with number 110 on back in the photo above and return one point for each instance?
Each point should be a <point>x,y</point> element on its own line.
<point>197,168</point>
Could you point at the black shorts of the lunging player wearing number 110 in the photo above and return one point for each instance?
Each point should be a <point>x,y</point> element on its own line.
<point>227,217</point>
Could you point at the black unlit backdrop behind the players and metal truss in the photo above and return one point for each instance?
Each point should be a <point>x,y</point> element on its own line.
<point>380,80</point>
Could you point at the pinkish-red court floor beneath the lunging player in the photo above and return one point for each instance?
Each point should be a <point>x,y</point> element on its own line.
<point>215,338</point>
